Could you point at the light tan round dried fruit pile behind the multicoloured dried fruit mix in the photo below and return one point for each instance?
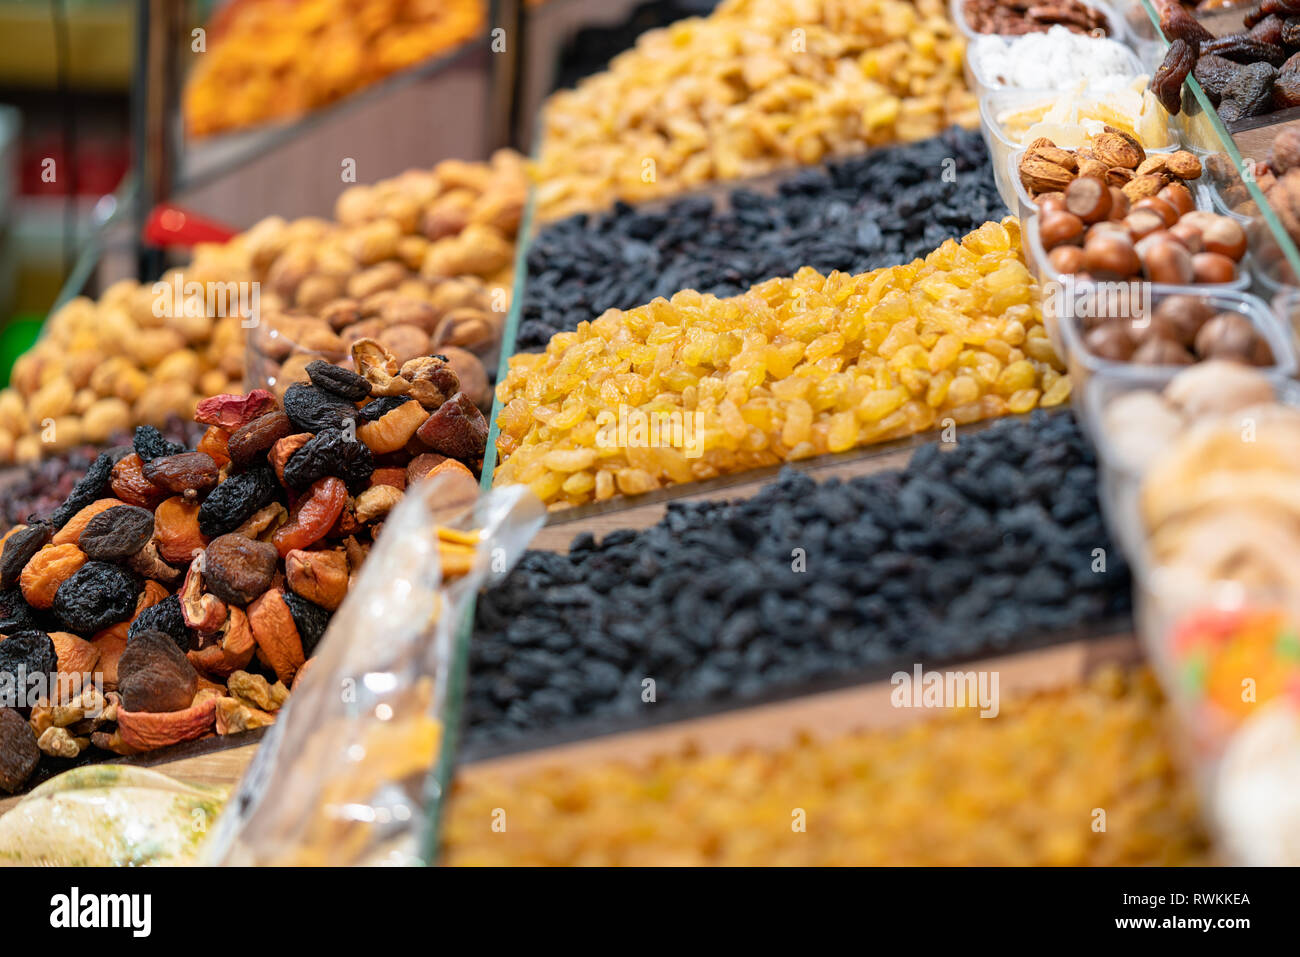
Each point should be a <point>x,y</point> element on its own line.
<point>422,262</point>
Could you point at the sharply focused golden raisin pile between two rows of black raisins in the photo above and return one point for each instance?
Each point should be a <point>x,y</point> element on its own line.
<point>795,367</point>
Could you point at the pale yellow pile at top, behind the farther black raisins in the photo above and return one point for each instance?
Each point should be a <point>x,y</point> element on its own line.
<point>755,86</point>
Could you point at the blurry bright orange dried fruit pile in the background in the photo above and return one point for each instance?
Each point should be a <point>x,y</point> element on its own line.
<point>274,60</point>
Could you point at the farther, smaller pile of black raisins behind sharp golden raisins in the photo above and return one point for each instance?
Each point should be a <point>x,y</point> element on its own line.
<point>873,211</point>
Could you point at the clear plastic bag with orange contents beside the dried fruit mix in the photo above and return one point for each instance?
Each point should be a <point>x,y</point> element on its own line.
<point>344,776</point>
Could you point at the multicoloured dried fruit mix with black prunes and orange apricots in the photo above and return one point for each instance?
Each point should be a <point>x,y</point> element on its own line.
<point>198,582</point>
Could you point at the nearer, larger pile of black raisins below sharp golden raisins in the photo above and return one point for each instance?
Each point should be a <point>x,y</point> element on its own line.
<point>969,551</point>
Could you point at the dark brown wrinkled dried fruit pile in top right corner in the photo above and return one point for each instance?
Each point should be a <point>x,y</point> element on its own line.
<point>1243,75</point>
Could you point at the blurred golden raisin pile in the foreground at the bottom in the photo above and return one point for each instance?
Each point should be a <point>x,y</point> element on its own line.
<point>1026,787</point>
